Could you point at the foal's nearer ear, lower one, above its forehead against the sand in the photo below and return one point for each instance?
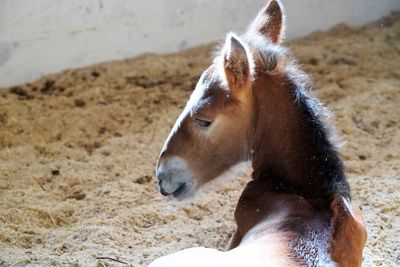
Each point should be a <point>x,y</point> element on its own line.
<point>236,63</point>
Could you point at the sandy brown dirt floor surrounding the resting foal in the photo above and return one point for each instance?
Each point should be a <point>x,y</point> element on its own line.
<point>78,151</point>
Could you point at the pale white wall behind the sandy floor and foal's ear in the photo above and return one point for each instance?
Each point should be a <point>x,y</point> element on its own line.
<point>44,36</point>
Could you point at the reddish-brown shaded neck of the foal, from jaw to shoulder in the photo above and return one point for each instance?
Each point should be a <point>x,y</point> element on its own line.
<point>290,147</point>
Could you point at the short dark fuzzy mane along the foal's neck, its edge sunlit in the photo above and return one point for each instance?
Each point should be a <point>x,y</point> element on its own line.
<point>318,118</point>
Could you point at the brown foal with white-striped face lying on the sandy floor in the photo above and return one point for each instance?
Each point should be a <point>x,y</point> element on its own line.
<point>252,104</point>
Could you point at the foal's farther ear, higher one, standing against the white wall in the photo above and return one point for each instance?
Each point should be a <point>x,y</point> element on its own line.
<point>270,21</point>
